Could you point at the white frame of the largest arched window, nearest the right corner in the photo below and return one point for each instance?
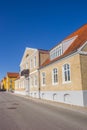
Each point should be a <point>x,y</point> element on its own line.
<point>63,73</point>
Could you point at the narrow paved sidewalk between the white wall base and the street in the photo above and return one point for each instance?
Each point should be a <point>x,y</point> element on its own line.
<point>56,104</point>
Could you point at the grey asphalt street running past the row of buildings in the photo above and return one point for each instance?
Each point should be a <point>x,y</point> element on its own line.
<point>18,113</point>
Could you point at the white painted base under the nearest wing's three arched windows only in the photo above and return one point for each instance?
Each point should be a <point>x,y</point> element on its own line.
<point>68,97</point>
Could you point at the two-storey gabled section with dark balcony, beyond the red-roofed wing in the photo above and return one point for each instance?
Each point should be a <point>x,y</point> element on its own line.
<point>28,82</point>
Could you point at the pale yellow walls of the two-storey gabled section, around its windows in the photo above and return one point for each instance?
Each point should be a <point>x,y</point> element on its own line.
<point>33,71</point>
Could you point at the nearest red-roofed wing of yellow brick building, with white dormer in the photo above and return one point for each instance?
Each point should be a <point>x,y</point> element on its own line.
<point>63,77</point>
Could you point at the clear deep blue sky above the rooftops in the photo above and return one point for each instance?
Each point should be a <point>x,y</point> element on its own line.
<point>36,24</point>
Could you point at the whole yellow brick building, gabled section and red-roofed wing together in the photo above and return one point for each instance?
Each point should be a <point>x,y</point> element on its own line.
<point>59,74</point>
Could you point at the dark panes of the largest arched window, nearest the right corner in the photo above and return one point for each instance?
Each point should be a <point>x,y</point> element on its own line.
<point>66,72</point>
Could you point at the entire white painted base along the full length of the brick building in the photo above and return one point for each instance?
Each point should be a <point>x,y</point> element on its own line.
<point>78,98</point>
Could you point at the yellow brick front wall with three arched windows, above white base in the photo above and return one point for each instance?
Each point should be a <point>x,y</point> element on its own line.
<point>74,84</point>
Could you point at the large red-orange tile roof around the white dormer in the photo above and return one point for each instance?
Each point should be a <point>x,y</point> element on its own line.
<point>81,34</point>
